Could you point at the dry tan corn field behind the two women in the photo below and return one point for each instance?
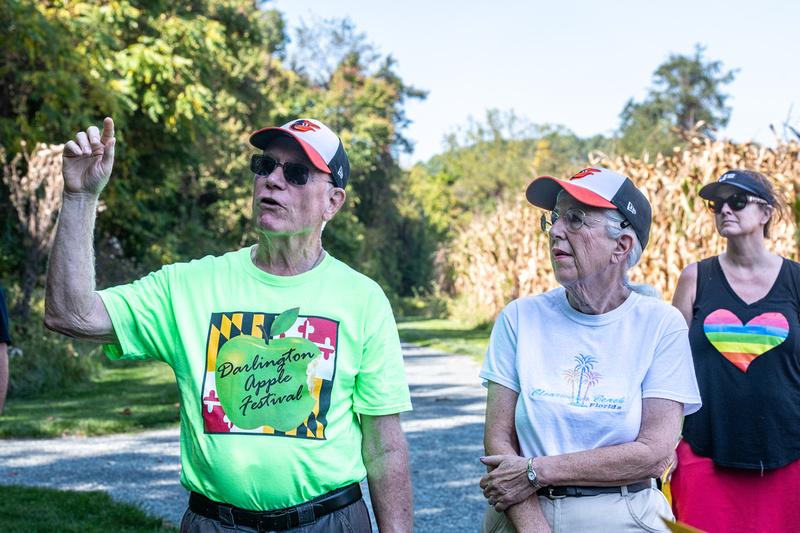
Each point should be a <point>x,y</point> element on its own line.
<point>504,255</point>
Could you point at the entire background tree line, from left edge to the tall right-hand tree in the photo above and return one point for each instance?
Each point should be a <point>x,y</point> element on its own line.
<point>187,81</point>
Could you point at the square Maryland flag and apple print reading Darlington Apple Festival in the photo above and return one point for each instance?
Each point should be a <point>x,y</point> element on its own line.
<point>269,374</point>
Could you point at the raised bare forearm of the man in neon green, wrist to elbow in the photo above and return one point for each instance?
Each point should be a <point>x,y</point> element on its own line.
<point>70,298</point>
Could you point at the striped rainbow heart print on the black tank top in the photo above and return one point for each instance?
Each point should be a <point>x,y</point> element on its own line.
<point>742,343</point>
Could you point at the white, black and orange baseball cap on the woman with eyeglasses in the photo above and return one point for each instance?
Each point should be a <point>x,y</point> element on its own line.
<point>598,187</point>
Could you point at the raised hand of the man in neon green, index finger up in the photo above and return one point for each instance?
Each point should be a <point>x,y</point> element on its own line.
<point>88,160</point>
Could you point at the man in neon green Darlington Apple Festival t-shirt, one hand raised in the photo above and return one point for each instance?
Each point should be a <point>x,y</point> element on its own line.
<point>287,361</point>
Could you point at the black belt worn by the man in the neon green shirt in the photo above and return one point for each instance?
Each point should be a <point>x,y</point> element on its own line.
<point>278,519</point>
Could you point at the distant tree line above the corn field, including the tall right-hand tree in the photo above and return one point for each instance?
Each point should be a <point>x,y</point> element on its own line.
<point>494,159</point>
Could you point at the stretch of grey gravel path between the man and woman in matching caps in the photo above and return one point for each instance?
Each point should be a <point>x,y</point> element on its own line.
<point>445,439</point>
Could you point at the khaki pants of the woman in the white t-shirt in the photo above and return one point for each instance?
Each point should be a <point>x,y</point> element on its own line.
<point>636,511</point>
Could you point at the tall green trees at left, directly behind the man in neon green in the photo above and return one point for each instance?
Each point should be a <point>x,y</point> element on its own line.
<point>185,83</point>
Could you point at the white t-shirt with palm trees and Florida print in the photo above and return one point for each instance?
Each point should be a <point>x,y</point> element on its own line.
<point>581,378</point>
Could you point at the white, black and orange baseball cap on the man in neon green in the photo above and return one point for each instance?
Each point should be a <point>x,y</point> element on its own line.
<point>323,147</point>
